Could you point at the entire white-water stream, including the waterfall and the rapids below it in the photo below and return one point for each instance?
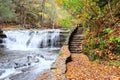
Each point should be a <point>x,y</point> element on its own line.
<point>27,54</point>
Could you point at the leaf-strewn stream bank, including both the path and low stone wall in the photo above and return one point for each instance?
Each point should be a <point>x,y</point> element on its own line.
<point>80,68</point>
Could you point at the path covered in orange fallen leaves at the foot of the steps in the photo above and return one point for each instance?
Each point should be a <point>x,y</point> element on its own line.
<point>82,69</point>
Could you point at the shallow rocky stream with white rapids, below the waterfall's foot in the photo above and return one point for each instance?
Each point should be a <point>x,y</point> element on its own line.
<point>25,65</point>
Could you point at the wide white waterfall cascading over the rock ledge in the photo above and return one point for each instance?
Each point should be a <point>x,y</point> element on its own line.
<point>32,39</point>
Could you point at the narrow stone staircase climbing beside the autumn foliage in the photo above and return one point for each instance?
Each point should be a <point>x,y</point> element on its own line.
<point>75,40</point>
